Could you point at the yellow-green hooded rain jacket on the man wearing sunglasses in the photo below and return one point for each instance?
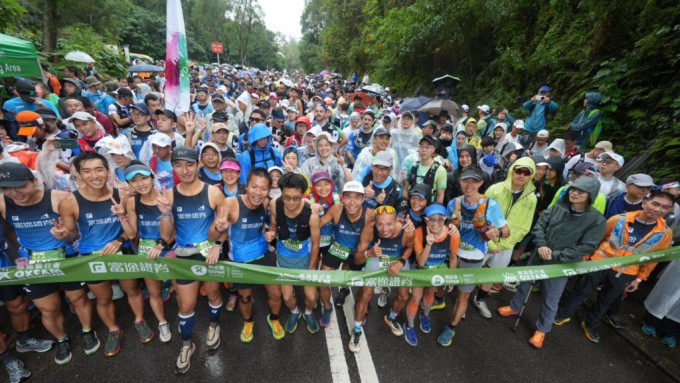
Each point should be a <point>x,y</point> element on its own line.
<point>520,214</point>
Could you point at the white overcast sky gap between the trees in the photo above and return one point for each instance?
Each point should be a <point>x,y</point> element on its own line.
<point>283,16</point>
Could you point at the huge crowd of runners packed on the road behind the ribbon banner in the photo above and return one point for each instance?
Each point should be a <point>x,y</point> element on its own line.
<point>312,172</point>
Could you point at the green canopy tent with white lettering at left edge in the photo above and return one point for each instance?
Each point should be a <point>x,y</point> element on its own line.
<point>18,58</point>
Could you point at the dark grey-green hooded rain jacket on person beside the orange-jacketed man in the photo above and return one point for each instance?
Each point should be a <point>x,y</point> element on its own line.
<point>570,236</point>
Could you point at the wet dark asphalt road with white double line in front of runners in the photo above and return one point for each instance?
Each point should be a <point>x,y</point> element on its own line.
<point>482,351</point>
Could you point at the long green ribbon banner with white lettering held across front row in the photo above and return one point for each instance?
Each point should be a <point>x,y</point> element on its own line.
<point>94,268</point>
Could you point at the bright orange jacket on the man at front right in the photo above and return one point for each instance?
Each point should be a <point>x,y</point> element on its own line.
<point>615,243</point>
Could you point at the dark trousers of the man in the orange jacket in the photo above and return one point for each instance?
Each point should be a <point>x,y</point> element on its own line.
<point>610,292</point>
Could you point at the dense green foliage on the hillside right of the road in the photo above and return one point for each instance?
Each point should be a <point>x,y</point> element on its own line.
<point>504,50</point>
